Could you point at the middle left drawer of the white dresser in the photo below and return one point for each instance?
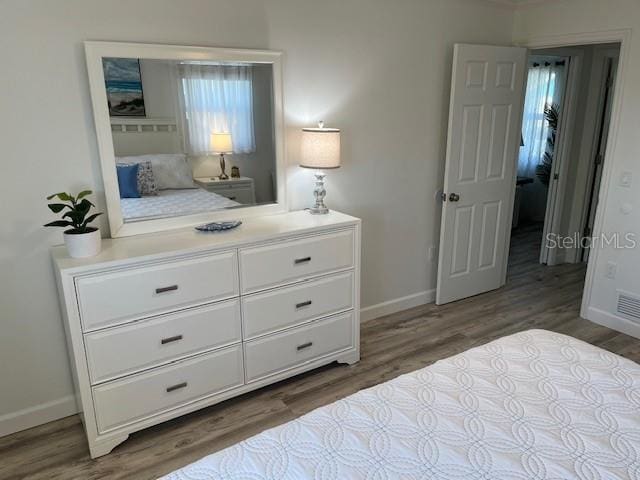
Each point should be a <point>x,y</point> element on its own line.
<point>122,350</point>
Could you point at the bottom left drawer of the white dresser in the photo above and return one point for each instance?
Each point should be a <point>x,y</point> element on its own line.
<point>140,396</point>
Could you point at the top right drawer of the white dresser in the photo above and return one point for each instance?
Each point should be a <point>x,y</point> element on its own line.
<point>281,263</point>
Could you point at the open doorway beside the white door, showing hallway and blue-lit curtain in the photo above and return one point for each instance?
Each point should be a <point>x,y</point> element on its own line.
<point>566,120</point>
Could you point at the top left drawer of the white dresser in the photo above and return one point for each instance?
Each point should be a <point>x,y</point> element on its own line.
<point>117,297</point>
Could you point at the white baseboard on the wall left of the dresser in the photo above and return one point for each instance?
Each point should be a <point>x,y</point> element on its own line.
<point>37,415</point>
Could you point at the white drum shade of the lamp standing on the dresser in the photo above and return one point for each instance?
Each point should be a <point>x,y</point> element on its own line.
<point>320,148</point>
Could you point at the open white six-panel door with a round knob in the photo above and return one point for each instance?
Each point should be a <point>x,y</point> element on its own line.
<point>485,115</point>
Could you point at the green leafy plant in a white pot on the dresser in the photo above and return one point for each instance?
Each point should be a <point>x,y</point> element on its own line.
<point>82,240</point>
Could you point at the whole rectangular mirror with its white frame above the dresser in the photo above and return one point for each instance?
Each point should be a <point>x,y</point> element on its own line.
<point>186,134</point>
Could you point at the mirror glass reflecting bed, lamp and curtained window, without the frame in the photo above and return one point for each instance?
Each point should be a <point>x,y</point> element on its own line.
<point>190,136</point>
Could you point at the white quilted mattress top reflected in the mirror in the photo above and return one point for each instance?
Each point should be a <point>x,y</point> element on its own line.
<point>172,203</point>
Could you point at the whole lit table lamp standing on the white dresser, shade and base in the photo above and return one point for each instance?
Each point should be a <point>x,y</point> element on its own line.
<point>320,151</point>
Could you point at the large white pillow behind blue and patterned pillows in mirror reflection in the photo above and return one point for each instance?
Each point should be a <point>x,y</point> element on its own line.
<point>171,170</point>
